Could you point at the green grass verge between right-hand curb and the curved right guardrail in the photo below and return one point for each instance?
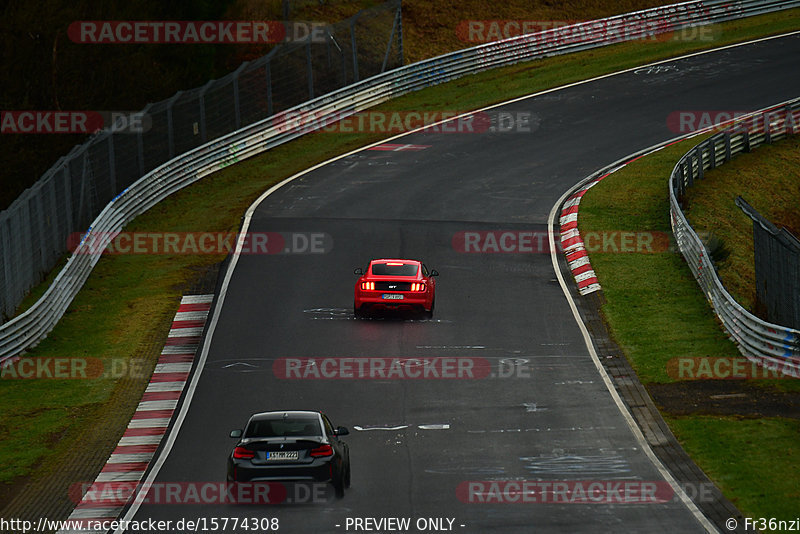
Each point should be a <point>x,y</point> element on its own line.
<point>665,317</point>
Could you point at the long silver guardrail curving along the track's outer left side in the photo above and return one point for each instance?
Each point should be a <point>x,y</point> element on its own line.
<point>27,329</point>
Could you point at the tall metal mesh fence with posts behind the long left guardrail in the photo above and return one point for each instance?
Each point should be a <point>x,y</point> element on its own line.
<point>35,229</point>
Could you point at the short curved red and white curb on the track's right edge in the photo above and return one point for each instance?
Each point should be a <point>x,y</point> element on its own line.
<point>572,243</point>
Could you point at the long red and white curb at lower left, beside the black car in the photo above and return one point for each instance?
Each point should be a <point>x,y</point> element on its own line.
<point>129,461</point>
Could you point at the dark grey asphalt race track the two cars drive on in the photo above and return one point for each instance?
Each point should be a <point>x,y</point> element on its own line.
<point>535,407</point>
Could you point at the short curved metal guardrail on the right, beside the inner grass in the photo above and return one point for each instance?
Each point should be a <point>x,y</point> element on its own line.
<point>773,346</point>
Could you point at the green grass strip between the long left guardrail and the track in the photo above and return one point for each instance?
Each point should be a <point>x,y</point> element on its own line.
<point>127,301</point>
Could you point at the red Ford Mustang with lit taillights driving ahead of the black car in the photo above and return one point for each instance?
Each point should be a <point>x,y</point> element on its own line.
<point>391,284</point>
